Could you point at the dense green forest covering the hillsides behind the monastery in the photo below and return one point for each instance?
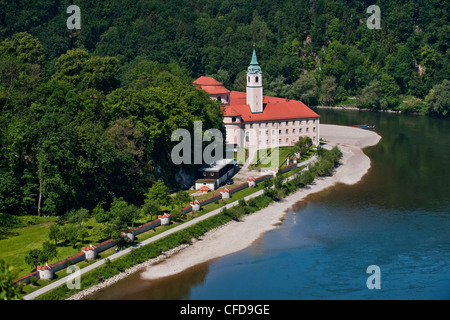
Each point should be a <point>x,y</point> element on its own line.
<point>86,115</point>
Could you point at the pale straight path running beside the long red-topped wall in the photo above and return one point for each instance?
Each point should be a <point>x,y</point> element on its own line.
<point>68,278</point>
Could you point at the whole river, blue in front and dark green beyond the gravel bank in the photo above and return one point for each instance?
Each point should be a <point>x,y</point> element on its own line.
<point>397,218</point>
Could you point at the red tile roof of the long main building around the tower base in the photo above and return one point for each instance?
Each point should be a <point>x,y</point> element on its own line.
<point>274,109</point>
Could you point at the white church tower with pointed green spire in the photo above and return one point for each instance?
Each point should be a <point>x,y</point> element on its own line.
<point>254,86</point>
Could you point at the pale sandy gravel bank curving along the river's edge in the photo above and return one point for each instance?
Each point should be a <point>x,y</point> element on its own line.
<point>229,238</point>
